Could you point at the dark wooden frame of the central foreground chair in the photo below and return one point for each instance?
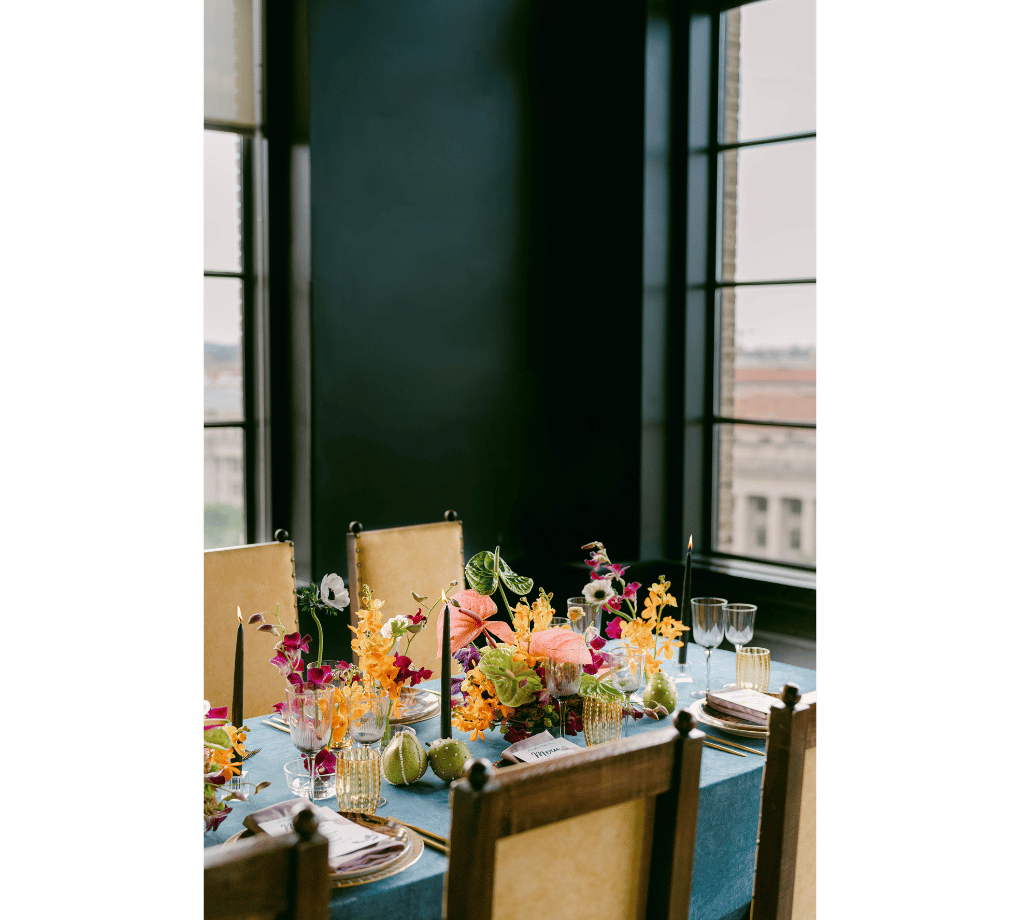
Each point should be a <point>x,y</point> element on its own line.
<point>491,805</point>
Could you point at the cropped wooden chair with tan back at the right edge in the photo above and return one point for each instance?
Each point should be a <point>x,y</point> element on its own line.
<point>787,856</point>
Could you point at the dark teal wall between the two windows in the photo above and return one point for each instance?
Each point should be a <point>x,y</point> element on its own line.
<point>477,274</point>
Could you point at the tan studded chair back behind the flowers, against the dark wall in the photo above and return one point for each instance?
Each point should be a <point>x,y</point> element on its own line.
<point>395,561</point>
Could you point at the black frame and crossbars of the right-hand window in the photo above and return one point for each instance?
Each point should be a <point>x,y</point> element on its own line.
<point>694,325</point>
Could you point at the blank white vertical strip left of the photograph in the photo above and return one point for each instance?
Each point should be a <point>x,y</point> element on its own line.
<point>101,350</point>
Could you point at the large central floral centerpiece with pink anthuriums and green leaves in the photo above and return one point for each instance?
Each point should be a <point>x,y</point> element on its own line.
<point>505,682</point>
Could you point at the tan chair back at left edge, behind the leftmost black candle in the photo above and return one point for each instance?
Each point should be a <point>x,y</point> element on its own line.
<point>256,579</point>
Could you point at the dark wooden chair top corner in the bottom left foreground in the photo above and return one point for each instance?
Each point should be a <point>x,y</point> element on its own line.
<point>270,879</point>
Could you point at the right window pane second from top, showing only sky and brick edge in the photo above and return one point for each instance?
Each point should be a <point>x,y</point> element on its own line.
<point>771,201</point>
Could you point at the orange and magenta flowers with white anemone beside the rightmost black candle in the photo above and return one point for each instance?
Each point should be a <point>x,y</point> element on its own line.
<point>648,631</point>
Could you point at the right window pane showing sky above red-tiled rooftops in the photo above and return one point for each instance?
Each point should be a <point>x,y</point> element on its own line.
<point>770,372</point>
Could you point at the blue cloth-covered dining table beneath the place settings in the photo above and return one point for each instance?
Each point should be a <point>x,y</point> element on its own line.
<point>728,811</point>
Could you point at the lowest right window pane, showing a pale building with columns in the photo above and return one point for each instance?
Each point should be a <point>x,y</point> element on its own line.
<point>767,504</point>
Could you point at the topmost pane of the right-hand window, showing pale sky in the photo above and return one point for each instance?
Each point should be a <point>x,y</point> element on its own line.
<point>773,62</point>
